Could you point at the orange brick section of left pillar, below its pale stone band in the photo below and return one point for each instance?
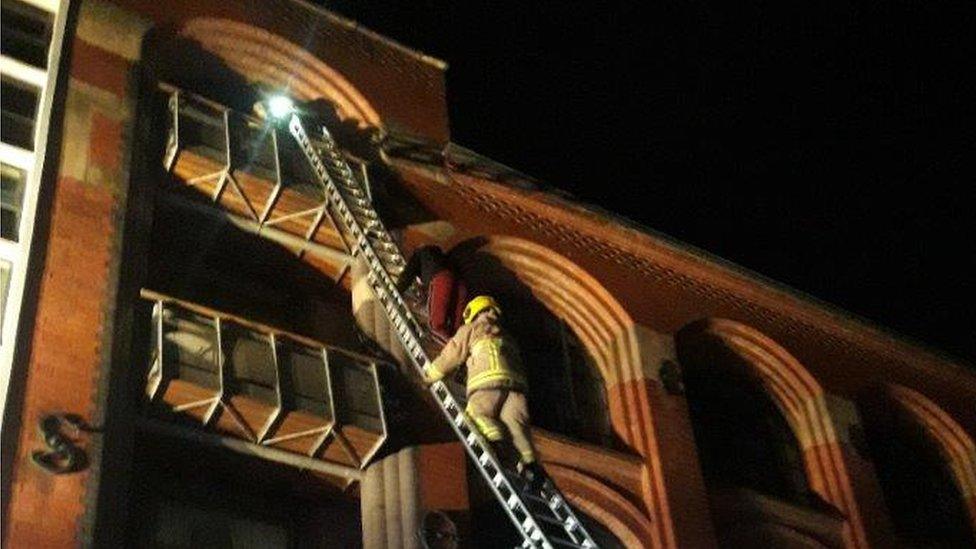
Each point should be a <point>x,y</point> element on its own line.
<point>63,361</point>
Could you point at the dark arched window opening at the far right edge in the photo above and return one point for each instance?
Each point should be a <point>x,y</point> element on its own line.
<point>920,490</point>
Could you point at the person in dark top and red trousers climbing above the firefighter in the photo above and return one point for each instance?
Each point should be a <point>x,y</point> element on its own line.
<point>446,292</point>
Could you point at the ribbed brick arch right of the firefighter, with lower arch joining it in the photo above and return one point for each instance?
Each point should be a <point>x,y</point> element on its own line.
<point>610,336</point>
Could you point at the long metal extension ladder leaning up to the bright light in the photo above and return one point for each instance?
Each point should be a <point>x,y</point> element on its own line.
<point>542,517</point>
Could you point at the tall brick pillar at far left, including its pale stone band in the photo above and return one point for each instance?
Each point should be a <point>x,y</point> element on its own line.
<point>73,304</point>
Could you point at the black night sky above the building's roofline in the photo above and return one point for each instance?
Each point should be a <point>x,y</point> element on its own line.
<point>827,145</point>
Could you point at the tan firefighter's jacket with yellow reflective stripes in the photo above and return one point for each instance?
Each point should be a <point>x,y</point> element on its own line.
<point>491,355</point>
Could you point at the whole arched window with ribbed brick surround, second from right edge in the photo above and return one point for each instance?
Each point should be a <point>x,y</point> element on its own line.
<point>764,437</point>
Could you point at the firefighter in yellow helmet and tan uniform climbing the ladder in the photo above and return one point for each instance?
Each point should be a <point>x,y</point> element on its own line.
<point>496,383</point>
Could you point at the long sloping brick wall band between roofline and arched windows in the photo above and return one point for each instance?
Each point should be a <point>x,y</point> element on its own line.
<point>667,287</point>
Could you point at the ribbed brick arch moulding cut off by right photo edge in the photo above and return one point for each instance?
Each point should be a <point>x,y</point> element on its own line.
<point>953,443</point>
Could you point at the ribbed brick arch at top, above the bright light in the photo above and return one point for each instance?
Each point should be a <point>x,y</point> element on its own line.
<point>263,57</point>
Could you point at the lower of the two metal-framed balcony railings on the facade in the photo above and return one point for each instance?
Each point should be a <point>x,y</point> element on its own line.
<point>265,386</point>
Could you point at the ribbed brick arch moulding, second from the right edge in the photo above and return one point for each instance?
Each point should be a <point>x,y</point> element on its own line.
<point>803,403</point>
